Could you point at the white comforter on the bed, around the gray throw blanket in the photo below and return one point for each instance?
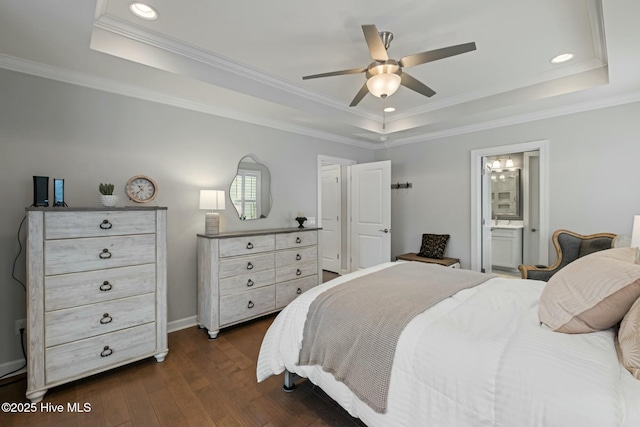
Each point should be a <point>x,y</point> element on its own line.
<point>477,358</point>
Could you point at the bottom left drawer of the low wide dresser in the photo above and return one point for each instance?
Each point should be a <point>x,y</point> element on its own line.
<point>246,305</point>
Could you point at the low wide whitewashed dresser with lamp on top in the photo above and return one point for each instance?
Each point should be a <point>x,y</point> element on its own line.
<point>244,275</point>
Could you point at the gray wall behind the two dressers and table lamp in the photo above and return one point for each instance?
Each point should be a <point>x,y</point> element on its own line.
<point>87,137</point>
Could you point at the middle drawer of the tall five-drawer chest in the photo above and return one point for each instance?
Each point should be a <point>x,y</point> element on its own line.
<point>69,290</point>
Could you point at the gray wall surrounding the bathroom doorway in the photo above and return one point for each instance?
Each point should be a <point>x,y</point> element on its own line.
<point>593,157</point>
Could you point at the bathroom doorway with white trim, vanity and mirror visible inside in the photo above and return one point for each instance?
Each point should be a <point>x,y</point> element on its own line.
<point>509,223</point>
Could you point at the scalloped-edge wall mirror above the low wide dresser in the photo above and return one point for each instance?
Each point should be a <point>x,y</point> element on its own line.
<point>250,191</point>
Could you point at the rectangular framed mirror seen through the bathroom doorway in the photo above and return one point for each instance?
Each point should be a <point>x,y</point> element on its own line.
<point>505,194</point>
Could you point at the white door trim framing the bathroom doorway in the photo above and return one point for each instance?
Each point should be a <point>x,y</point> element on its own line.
<point>476,191</point>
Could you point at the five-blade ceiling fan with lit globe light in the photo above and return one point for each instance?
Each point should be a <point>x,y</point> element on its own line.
<point>384,75</point>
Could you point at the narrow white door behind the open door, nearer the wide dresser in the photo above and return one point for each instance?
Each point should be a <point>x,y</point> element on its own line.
<point>331,218</point>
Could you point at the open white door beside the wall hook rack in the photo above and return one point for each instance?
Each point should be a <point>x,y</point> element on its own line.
<point>370,214</point>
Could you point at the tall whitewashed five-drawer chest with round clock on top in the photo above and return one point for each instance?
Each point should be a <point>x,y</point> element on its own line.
<point>96,291</point>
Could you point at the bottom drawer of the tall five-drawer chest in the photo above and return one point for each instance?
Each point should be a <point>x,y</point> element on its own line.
<point>98,353</point>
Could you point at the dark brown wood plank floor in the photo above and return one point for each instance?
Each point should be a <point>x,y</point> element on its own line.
<point>200,383</point>
